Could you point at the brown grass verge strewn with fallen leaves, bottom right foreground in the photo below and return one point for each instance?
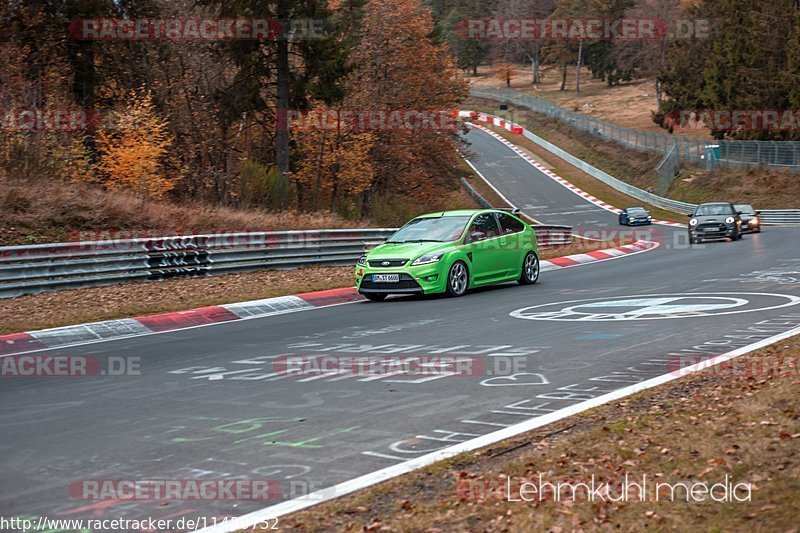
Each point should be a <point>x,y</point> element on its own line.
<point>698,429</point>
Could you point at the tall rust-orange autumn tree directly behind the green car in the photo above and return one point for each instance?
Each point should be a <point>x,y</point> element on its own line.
<point>397,66</point>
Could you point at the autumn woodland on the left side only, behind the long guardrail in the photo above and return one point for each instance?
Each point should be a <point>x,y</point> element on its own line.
<point>205,121</point>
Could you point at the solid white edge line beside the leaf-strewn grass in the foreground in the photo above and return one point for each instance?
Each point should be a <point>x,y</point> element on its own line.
<point>373,478</point>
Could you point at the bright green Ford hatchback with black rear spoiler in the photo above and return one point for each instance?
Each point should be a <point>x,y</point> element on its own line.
<point>450,252</point>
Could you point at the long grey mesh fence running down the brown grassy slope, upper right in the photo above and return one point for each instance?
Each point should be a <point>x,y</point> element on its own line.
<point>726,153</point>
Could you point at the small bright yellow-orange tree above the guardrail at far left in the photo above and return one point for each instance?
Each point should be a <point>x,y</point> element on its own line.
<point>134,149</point>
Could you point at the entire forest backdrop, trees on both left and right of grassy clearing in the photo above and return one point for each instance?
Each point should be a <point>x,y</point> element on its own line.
<point>206,122</point>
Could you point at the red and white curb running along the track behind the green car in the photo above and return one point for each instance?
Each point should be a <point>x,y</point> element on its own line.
<point>63,337</point>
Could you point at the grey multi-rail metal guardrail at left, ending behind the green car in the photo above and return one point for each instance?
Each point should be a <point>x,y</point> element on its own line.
<point>49,267</point>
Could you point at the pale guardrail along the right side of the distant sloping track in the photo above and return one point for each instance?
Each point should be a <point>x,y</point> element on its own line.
<point>769,217</point>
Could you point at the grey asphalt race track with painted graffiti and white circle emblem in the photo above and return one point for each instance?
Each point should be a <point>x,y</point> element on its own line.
<point>208,403</point>
